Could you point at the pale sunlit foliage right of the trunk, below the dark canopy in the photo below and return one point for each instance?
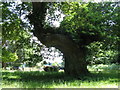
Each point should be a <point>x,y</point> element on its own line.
<point>99,53</point>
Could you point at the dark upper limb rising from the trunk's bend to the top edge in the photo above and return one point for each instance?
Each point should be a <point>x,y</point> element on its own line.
<point>47,38</point>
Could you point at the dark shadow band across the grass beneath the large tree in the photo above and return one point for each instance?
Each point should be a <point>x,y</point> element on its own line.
<point>47,79</point>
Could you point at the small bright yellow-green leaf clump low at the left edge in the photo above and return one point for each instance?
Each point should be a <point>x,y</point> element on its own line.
<point>8,56</point>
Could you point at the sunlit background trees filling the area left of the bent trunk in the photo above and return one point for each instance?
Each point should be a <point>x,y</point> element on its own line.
<point>17,42</point>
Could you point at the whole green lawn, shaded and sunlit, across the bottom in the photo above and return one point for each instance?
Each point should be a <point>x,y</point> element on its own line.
<point>36,79</point>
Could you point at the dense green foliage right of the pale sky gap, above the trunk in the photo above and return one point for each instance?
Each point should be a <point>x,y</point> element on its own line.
<point>87,22</point>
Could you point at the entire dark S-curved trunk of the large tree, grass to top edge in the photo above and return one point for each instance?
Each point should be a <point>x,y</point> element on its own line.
<point>75,63</point>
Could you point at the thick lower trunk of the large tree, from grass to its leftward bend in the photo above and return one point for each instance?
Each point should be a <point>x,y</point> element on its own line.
<point>75,63</point>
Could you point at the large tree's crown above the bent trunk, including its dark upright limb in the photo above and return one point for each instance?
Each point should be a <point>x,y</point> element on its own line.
<point>83,22</point>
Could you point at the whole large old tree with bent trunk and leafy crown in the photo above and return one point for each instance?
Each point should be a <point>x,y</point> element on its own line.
<point>83,24</point>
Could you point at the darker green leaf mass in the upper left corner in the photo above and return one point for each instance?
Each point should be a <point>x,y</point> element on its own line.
<point>11,28</point>
